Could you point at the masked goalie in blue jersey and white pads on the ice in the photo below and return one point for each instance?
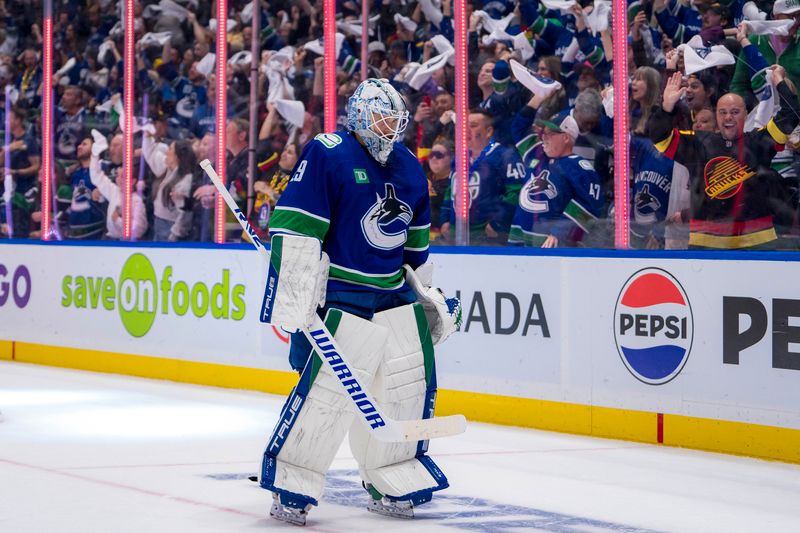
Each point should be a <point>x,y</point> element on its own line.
<point>353,225</point>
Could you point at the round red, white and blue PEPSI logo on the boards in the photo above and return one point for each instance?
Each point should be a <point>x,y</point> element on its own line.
<point>653,326</point>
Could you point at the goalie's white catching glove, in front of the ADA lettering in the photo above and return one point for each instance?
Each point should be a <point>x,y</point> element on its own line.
<point>443,314</point>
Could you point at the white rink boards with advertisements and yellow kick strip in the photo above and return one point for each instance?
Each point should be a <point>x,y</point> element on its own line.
<point>690,350</point>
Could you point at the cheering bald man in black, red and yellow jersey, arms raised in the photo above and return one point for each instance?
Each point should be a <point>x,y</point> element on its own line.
<point>733,205</point>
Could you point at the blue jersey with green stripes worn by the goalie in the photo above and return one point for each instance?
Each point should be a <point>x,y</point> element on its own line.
<point>371,219</point>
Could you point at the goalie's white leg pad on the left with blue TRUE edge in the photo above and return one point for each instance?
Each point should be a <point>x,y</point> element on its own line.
<point>318,413</point>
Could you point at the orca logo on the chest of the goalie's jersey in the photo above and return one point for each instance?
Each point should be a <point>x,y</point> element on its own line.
<point>386,223</point>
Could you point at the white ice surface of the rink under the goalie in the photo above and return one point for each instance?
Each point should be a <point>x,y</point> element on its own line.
<point>84,452</point>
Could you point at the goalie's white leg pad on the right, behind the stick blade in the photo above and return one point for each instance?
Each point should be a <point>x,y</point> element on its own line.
<point>405,387</point>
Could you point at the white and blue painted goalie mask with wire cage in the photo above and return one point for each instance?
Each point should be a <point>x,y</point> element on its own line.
<point>377,114</point>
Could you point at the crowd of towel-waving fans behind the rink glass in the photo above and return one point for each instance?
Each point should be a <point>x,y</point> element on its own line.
<point>540,122</point>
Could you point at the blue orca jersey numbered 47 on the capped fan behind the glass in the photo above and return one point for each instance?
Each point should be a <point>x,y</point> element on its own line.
<point>562,197</point>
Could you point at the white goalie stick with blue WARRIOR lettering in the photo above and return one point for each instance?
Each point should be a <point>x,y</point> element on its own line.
<point>367,409</point>
